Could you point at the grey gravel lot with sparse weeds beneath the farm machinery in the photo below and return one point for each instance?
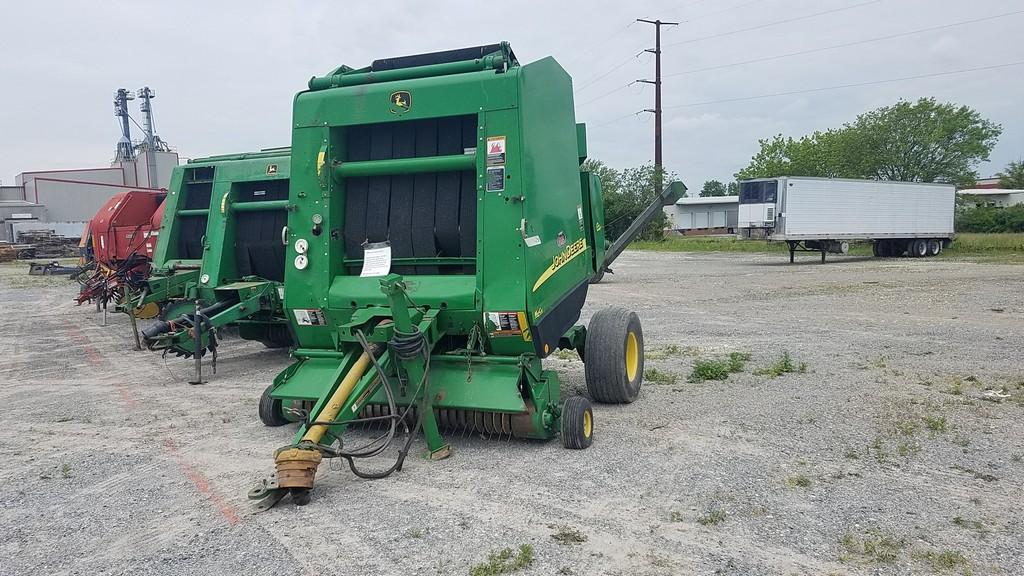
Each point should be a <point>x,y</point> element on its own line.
<point>894,448</point>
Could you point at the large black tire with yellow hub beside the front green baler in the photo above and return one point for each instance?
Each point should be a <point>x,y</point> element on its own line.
<point>614,362</point>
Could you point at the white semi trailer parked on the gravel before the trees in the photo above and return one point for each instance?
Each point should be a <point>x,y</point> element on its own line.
<point>826,215</point>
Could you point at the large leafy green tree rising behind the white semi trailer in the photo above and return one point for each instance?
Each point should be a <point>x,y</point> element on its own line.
<point>925,142</point>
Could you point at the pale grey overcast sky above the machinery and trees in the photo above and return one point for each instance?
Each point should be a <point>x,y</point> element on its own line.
<point>226,72</point>
